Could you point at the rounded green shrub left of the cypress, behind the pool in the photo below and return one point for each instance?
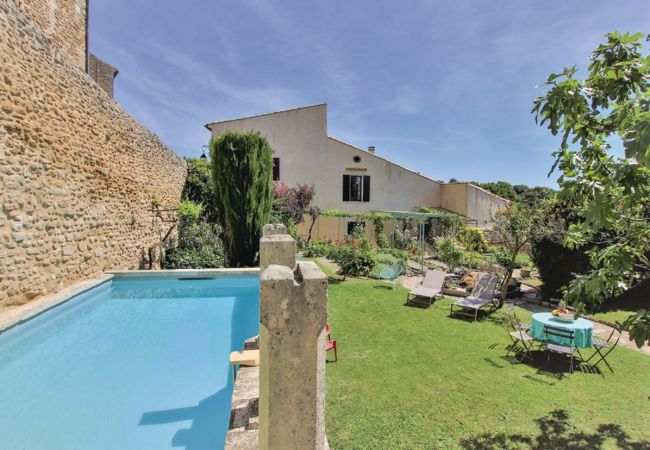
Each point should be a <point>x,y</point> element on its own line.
<point>199,247</point>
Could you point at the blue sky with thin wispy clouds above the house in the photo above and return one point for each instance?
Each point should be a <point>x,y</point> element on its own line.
<point>442,87</point>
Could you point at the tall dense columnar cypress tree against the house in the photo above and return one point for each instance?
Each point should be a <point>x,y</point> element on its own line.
<point>242,165</point>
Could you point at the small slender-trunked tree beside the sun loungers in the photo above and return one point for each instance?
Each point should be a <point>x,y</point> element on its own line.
<point>515,227</point>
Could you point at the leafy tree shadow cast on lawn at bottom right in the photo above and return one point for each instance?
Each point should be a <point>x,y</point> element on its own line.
<point>556,432</point>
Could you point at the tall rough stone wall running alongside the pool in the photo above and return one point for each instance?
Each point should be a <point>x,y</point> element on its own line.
<point>77,172</point>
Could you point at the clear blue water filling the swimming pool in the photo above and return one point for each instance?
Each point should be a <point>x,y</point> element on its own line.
<point>135,363</point>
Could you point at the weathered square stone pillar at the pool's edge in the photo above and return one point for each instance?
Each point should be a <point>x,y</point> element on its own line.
<point>293,313</point>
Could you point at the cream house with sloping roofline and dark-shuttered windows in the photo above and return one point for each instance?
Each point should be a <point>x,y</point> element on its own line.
<point>352,179</point>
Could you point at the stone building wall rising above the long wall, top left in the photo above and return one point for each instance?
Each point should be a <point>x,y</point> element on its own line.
<point>63,22</point>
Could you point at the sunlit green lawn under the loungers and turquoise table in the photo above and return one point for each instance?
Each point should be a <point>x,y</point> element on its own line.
<point>411,378</point>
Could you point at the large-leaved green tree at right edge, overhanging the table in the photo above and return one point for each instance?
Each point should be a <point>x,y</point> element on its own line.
<point>611,194</point>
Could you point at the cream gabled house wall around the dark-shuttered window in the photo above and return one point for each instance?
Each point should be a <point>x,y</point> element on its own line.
<point>307,155</point>
